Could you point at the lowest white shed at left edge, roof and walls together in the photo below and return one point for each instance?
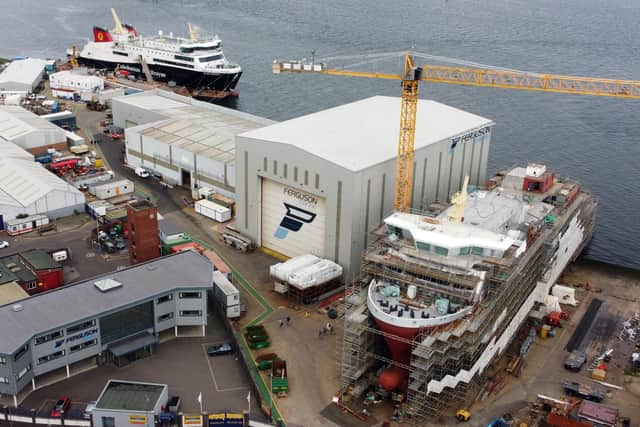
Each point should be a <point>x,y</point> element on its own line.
<point>26,187</point>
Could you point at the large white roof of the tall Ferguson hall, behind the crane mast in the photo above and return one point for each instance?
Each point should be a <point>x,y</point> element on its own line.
<point>364,133</point>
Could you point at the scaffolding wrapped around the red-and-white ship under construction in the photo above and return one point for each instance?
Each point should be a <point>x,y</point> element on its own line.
<point>440,354</point>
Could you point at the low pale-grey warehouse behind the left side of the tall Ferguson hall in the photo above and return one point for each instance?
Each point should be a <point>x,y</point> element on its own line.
<point>190,143</point>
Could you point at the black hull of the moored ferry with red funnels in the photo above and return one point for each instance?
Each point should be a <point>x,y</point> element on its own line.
<point>190,79</point>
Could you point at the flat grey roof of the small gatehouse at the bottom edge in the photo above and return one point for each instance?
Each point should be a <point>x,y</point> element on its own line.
<point>130,396</point>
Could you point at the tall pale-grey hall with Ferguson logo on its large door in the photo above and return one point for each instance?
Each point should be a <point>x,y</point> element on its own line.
<point>320,183</point>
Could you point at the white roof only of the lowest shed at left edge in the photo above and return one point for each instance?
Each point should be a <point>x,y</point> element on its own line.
<point>23,182</point>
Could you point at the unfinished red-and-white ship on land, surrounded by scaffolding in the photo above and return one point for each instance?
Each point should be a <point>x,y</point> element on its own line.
<point>444,291</point>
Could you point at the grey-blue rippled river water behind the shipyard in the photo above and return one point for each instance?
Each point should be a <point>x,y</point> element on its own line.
<point>593,140</point>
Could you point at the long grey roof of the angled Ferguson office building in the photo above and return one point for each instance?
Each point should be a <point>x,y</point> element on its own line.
<point>76,302</point>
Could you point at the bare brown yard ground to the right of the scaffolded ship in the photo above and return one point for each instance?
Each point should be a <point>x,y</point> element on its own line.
<point>544,371</point>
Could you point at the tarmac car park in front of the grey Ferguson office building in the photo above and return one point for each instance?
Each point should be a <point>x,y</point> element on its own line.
<point>180,363</point>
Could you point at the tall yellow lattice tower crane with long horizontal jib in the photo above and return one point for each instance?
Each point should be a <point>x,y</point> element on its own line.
<point>471,75</point>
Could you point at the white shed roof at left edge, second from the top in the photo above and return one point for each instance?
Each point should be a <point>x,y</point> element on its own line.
<point>16,122</point>
